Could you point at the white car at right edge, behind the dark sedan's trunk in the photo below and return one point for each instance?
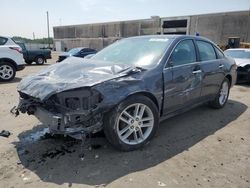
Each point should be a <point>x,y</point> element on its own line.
<point>242,59</point>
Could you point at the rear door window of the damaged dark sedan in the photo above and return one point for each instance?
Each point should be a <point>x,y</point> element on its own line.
<point>206,51</point>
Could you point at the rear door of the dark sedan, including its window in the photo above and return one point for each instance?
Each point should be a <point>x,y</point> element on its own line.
<point>212,67</point>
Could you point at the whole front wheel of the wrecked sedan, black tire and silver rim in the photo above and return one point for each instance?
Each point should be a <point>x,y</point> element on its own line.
<point>121,130</point>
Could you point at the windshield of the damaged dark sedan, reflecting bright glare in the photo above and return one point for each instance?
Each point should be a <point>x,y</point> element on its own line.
<point>140,52</point>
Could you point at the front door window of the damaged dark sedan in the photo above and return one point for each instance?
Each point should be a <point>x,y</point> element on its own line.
<point>184,53</point>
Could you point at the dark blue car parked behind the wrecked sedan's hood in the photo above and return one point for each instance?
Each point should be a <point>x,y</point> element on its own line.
<point>76,52</point>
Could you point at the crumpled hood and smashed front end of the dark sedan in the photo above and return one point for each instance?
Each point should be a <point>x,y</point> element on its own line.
<point>72,97</point>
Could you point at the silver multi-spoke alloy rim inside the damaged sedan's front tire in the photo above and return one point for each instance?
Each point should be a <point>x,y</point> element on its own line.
<point>135,124</point>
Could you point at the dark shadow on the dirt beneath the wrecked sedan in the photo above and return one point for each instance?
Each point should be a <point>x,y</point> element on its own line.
<point>57,160</point>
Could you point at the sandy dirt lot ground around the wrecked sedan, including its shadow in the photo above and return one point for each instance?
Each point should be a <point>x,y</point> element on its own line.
<point>200,148</point>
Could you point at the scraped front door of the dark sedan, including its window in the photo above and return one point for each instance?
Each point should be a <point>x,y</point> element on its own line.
<point>182,77</point>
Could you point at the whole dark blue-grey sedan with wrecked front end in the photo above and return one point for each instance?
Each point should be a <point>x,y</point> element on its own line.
<point>127,88</point>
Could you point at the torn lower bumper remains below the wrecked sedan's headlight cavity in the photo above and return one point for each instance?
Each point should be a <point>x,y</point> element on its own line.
<point>62,123</point>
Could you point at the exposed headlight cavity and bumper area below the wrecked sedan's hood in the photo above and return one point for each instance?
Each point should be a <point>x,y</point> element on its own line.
<point>69,112</point>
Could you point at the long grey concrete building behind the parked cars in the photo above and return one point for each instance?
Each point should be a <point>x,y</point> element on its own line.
<point>217,27</point>
